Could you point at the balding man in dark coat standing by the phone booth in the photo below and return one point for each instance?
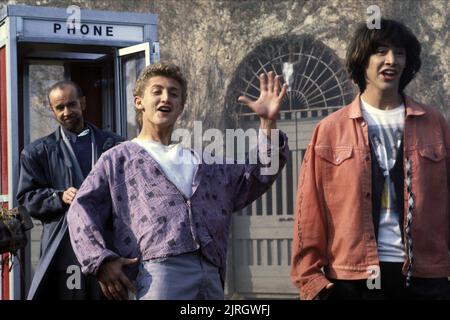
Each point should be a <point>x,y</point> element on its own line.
<point>52,170</point>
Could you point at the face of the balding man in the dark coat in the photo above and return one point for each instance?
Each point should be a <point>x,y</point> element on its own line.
<point>68,108</point>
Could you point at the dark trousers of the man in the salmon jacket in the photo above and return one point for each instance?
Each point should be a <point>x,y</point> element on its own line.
<point>393,287</point>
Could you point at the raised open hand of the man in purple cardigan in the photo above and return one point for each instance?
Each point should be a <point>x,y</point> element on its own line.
<point>268,104</point>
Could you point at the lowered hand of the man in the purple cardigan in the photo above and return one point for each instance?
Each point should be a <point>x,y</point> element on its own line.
<point>113,282</point>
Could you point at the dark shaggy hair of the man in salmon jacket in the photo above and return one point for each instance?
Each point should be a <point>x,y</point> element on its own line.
<point>366,41</point>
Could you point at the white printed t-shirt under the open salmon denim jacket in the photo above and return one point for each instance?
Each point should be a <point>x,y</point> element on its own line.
<point>385,134</point>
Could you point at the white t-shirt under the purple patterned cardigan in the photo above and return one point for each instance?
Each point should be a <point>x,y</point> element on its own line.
<point>179,164</point>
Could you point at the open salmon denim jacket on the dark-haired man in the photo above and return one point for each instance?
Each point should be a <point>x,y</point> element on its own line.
<point>334,234</point>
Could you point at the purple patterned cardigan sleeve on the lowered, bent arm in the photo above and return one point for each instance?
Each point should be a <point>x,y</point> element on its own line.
<point>88,218</point>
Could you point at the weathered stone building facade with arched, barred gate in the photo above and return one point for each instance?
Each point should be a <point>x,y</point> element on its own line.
<point>223,45</point>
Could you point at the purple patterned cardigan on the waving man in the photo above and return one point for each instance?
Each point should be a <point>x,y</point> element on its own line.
<point>128,194</point>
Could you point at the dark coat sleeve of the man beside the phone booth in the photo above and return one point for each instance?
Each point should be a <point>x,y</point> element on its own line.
<point>35,192</point>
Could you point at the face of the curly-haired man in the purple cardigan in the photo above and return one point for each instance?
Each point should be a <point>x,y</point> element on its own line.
<point>161,103</point>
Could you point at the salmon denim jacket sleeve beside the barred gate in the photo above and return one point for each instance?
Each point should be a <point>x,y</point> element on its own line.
<point>309,243</point>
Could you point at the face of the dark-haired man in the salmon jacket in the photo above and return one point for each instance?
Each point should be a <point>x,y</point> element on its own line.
<point>384,69</point>
